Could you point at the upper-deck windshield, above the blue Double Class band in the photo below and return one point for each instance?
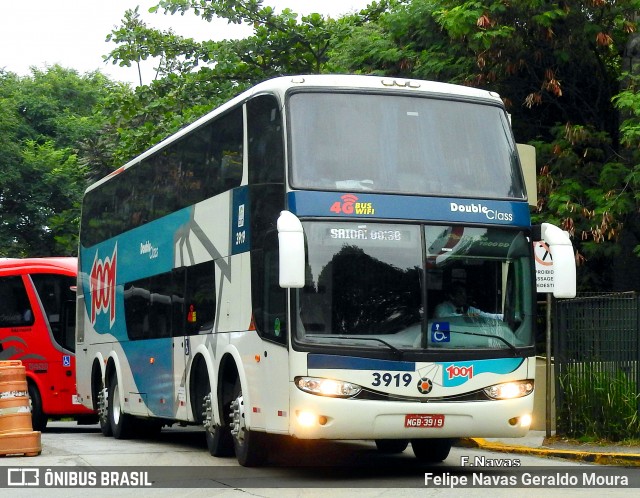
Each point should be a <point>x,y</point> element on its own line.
<point>402,144</point>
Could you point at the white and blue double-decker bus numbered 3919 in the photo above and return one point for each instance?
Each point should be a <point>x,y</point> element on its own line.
<point>274,269</point>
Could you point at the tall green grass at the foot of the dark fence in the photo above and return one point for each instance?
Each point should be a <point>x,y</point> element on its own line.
<point>598,403</point>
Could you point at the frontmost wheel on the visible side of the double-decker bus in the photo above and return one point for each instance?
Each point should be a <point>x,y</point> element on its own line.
<point>250,447</point>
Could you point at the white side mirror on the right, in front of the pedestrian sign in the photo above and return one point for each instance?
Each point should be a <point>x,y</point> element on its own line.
<point>564,262</point>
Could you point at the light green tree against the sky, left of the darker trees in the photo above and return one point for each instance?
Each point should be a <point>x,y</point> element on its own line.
<point>195,77</point>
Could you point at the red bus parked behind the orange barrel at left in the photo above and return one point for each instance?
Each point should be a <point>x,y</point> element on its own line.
<point>37,326</point>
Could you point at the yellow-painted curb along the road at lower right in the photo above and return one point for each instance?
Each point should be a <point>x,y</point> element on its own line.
<point>601,458</point>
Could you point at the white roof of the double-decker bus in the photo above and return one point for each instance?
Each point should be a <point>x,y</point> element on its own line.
<point>281,84</point>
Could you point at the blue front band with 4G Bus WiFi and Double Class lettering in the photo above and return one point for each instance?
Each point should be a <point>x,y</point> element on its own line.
<point>406,207</point>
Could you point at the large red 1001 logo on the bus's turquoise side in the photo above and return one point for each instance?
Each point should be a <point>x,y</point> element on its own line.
<point>103,287</point>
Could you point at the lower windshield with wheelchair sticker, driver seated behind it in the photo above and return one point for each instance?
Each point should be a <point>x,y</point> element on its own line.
<point>368,285</point>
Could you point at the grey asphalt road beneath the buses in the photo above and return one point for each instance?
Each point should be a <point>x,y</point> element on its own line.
<point>177,463</point>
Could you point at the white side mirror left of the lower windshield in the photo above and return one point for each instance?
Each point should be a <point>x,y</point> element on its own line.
<point>291,249</point>
